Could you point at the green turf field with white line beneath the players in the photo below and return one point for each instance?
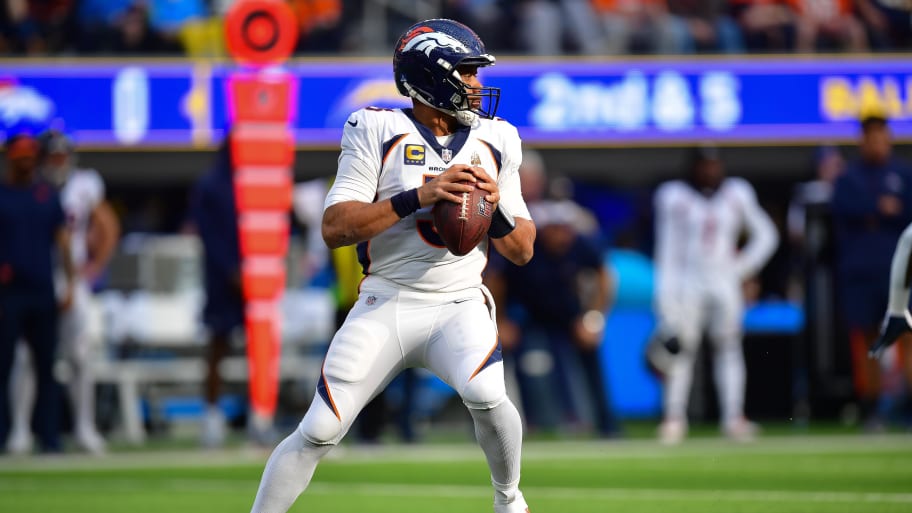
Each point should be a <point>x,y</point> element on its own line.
<point>782,474</point>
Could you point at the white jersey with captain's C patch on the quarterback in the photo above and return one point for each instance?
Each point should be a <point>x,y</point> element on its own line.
<point>386,151</point>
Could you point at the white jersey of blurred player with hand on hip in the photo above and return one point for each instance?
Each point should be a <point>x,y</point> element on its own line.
<point>697,235</point>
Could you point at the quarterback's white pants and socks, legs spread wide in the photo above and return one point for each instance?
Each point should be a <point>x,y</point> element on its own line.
<point>453,335</point>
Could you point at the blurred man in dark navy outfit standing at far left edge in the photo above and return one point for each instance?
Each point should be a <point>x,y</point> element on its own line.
<point>32,227</point>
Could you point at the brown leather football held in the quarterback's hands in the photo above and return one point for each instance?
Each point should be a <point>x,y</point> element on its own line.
<point>462,226</point>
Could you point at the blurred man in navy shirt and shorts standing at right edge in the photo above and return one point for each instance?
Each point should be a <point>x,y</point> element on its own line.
<point>872,205</point>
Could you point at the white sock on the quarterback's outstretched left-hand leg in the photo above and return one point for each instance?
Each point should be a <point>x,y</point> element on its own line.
<point>287,473</point>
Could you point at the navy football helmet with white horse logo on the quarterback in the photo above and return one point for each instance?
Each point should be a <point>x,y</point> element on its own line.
<point>425,66</point>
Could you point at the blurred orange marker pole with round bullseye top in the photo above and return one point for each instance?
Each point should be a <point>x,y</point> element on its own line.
<point>261,34</point>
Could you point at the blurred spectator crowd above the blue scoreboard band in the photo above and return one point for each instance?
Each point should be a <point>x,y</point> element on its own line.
<point>533,27</point>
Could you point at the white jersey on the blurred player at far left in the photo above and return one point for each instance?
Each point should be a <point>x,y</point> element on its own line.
<point>81,193</point>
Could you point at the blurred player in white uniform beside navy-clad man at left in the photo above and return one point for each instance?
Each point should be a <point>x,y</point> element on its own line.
<point>82,194</point>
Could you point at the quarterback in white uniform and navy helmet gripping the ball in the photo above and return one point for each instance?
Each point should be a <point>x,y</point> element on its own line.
<point>419,305</point>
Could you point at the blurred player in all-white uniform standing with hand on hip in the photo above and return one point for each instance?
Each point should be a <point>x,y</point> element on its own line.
<point>700,272</point>
